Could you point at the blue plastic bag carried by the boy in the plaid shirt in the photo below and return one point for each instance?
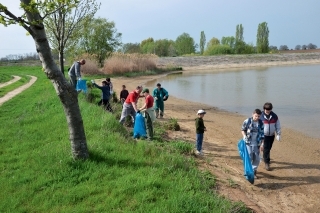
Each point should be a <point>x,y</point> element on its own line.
<point>247,166</point>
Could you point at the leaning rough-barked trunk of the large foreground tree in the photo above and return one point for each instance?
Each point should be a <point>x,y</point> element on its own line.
<point>67,94</point>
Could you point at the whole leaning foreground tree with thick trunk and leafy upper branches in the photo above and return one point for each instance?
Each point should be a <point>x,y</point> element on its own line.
<point>32,22</point>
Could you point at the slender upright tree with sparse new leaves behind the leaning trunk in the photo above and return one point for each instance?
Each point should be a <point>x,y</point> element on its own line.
<point>65,24</point>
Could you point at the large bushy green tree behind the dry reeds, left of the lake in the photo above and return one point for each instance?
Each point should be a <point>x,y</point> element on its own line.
<point>100,39</point>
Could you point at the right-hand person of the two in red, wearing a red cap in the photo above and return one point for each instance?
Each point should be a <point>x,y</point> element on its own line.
<point>148,113</point>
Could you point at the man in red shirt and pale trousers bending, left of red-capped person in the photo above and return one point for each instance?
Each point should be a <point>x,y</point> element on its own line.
<point>130,105</point>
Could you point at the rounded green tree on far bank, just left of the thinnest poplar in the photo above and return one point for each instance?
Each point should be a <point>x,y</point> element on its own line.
<point>185,44</point>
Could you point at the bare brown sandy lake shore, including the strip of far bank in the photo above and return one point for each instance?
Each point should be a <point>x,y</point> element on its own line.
<point>293,184</point>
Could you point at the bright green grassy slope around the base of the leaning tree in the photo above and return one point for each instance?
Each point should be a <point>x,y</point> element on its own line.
<point>38,173</point>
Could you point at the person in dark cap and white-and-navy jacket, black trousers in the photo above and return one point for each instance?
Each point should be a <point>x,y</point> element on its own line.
<point>271,126</point>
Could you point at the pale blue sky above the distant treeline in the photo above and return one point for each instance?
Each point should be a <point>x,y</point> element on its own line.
<point>290,22</point>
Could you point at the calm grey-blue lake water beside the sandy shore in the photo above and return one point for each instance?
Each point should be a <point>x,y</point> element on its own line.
<point>293,91</point>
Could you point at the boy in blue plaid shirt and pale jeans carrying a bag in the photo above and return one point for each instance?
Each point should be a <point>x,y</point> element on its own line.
<point>253,134</point>
